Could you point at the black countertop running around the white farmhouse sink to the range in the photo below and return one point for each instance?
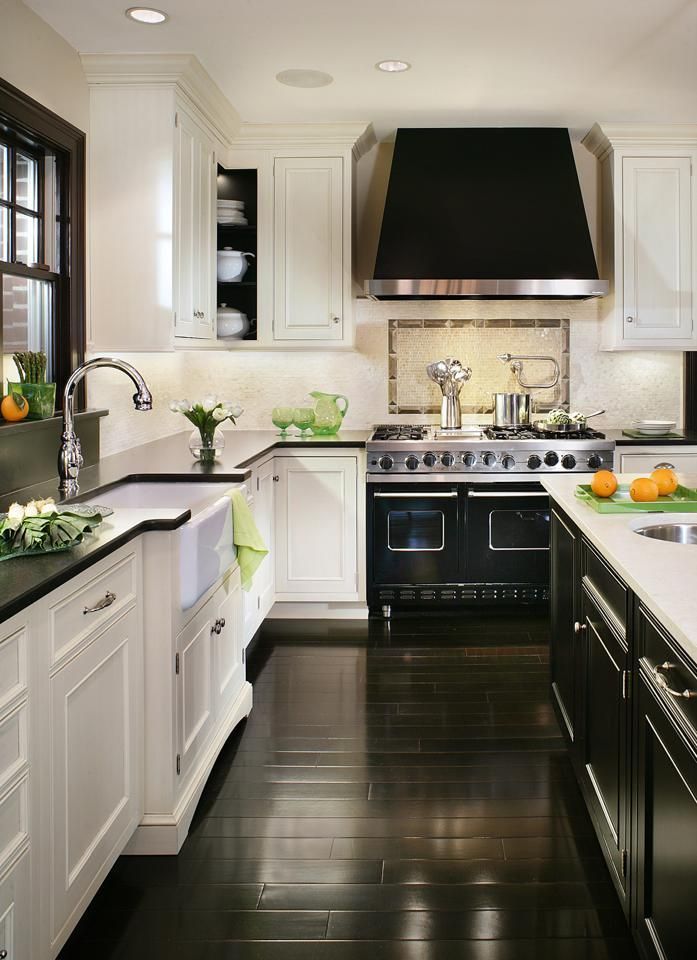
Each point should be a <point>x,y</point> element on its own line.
<point>24,580</point>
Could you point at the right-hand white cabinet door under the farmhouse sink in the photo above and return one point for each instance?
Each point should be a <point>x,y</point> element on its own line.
<point>228,669</point>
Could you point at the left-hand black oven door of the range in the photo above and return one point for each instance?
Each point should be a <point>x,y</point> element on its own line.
<point>415,534</point>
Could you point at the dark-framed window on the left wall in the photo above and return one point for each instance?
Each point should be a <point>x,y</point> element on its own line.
<point>41,236</point>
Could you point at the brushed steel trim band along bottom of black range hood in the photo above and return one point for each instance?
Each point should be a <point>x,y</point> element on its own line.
<point>564,289</point>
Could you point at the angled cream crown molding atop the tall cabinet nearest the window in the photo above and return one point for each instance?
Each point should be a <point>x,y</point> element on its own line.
<point>180,71</point>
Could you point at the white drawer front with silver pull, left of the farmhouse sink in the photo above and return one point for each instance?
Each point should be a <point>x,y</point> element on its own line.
<point>77,616</point>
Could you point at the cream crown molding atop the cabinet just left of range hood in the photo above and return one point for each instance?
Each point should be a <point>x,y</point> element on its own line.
<point>359,136</point>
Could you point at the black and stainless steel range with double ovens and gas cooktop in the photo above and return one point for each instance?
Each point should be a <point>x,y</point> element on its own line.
<point>458,518</point>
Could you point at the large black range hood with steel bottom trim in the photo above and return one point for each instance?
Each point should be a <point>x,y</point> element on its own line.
<point>484,213</point>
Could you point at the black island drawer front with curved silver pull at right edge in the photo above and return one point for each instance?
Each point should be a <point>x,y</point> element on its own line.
<point>670,671</point>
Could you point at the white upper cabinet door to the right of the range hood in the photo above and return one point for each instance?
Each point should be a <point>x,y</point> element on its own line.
<point>657,232</point>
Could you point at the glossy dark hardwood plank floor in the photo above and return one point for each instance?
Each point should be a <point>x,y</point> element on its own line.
<point>399,792</point>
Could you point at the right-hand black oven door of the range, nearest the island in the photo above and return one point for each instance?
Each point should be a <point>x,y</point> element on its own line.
<point>508,533</point>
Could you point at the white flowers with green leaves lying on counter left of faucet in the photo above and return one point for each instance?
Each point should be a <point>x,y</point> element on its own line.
<point>39,527</point>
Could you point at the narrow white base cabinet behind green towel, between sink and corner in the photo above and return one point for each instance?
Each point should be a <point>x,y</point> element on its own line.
<point>259,599</point>
